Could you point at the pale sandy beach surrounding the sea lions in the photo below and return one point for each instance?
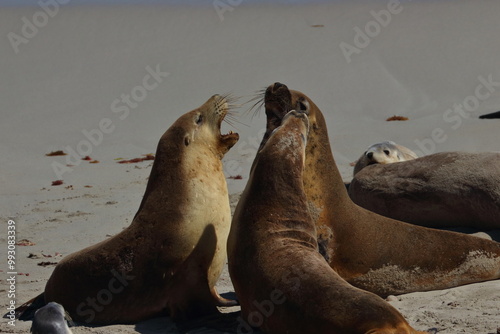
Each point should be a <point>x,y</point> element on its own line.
<point>105,81</point>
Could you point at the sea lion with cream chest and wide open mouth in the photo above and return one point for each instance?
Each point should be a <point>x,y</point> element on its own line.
<point>168,260</point>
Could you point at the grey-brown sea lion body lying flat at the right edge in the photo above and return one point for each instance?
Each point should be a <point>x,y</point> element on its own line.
<point>448,189</point>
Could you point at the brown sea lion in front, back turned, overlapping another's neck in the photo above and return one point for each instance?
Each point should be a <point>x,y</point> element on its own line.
<point>282,282</point>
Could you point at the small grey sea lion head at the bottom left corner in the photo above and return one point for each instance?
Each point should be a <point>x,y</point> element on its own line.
<point>50,319</point>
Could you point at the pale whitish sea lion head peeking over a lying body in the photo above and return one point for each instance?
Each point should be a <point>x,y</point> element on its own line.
<point>386,152</point>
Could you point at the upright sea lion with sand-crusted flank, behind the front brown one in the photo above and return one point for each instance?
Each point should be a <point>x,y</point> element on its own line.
<point>370,251</point>
